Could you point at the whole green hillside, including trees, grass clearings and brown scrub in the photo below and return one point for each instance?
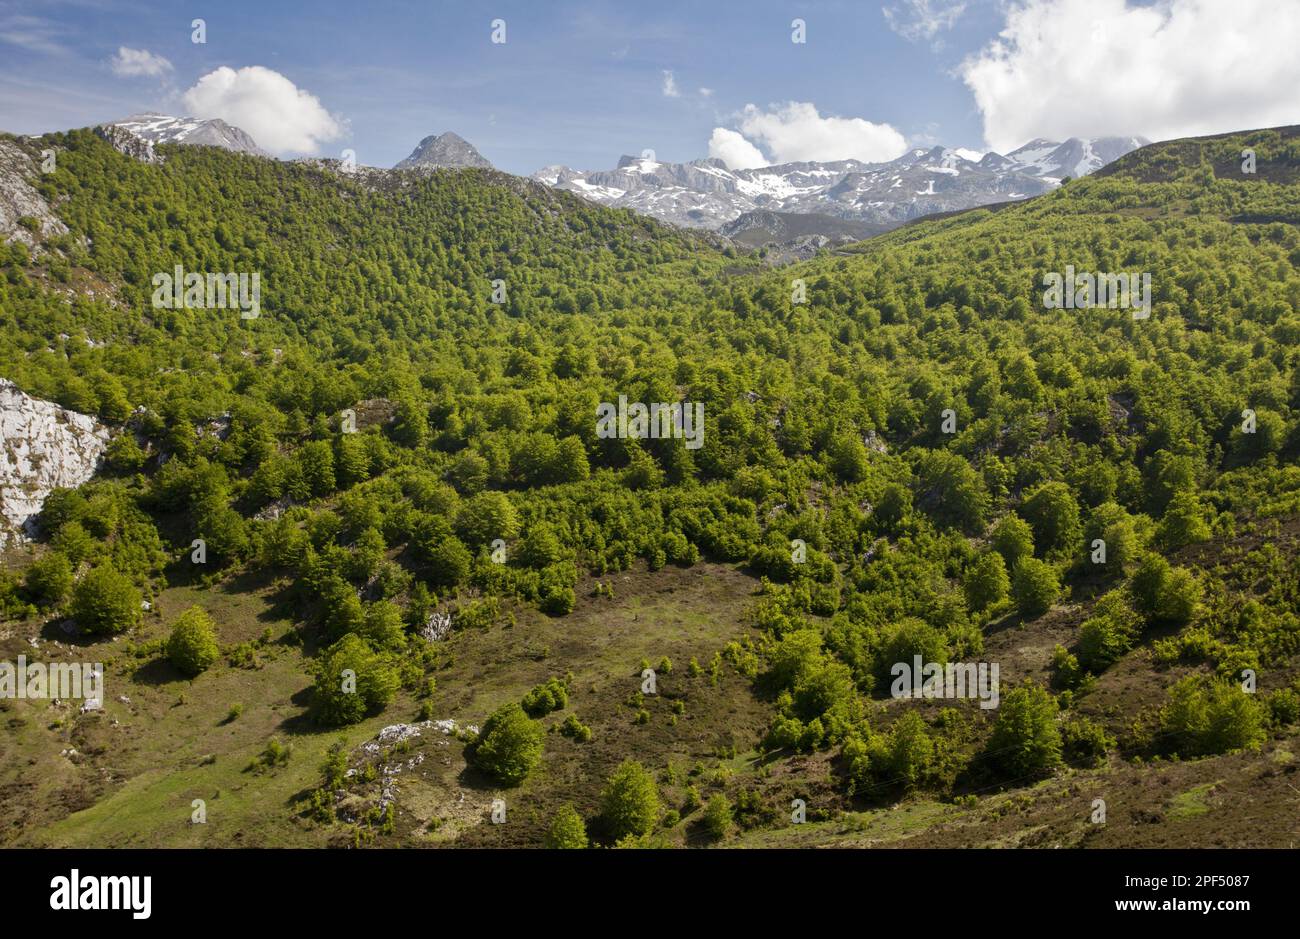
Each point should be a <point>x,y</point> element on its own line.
<point>920,460</point>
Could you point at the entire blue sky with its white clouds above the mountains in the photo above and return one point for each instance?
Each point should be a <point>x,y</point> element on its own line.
<point>582,83</point>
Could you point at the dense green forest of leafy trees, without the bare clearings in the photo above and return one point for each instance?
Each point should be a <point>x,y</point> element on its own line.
<point>916,457</point>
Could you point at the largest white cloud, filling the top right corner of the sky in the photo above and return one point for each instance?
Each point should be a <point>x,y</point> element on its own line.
<point>1090,68</point>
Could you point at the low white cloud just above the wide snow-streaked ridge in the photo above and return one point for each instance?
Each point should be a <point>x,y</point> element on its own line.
<point>796,132</point>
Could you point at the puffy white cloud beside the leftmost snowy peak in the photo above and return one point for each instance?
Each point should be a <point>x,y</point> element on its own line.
<point>279,115</point>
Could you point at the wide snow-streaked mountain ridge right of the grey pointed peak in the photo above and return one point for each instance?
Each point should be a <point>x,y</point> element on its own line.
<point>708,194</point>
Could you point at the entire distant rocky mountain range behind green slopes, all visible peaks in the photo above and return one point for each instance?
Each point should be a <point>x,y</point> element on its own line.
<point>794,202</point>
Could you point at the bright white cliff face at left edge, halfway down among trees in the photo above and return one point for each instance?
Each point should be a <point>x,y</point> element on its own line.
<point>44,447</point>
